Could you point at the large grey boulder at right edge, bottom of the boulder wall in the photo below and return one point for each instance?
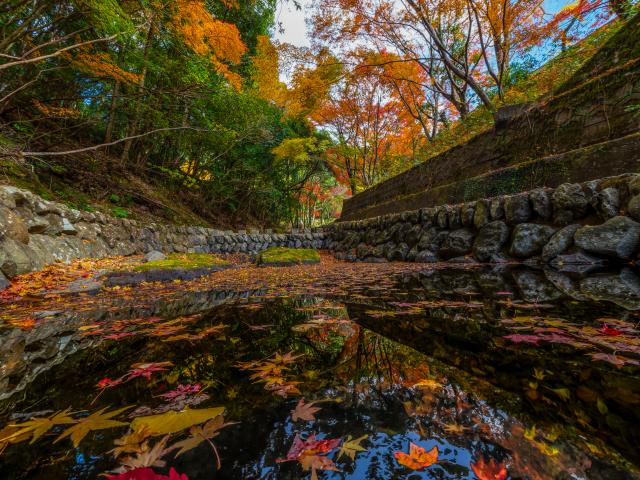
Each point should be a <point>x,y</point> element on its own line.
<point>618,237</point>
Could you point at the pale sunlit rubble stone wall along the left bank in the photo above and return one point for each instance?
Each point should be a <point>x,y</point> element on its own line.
<point>35,232</point>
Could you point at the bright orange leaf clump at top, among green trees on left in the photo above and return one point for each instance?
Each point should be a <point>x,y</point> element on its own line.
<point>209,37</point>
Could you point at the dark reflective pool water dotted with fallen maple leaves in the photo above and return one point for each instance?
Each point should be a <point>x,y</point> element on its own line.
<point>514,373</point>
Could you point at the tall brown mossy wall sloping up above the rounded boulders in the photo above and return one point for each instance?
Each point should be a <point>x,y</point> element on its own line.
<point>586,127</point>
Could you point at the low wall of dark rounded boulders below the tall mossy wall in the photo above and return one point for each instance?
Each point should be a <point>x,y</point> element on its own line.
<point>572,224</point>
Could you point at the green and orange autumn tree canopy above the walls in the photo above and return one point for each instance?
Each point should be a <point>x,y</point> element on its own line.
<point>198,96</point>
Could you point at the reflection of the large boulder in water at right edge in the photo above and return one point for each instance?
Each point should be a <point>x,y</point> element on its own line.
<point>620,288</point>
